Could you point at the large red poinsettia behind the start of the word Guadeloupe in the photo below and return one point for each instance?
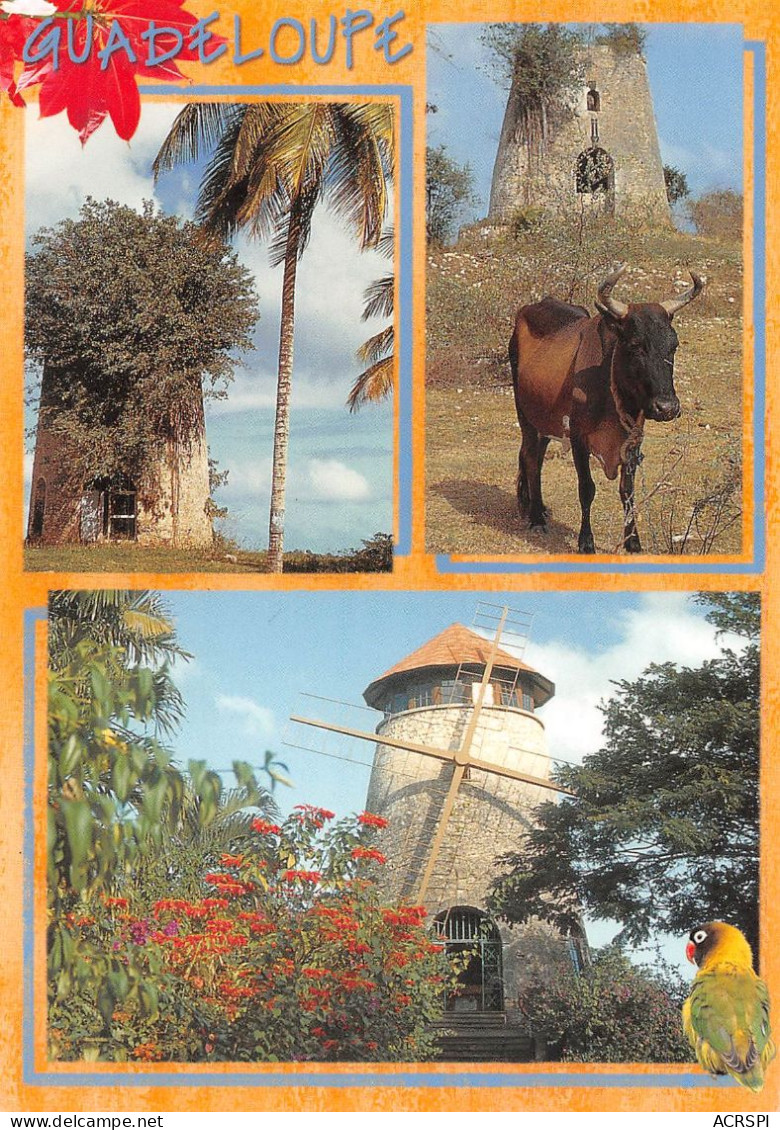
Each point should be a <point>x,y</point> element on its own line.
<point>88,91</point>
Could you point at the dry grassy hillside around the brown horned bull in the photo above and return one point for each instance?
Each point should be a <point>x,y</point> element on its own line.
<point>689,489</point>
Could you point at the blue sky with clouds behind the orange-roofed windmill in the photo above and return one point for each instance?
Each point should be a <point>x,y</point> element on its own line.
<point>258,656</point>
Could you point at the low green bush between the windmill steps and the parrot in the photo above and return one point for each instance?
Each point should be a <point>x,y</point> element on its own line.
<point>611,1013</point>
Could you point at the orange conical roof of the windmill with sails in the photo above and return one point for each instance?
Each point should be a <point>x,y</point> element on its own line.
<point>456,647</point>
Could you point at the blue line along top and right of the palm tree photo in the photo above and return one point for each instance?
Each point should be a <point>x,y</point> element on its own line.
<point>404,325</point>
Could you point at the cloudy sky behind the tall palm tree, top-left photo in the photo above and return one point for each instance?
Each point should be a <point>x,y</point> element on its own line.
<point>340,489</point>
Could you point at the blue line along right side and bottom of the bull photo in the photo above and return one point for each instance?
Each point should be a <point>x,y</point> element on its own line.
<point>445,563</point>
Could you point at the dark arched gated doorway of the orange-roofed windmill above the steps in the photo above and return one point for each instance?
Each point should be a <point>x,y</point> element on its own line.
<point>469,933</point>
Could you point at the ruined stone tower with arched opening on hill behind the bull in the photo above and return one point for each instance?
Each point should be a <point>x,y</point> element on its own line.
<point>599,154</point>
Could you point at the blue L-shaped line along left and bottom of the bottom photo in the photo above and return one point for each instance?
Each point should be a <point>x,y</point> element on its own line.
<point>314,1079</point>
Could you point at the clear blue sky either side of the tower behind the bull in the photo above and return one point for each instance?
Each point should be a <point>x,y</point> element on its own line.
<point>696,73</point>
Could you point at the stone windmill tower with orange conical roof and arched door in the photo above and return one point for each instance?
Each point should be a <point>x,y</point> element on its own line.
<point>461,763</point>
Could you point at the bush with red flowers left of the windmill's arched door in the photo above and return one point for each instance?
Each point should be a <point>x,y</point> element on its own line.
<point>291,954</point>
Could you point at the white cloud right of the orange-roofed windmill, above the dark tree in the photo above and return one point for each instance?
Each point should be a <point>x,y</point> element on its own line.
<point>664,629</point>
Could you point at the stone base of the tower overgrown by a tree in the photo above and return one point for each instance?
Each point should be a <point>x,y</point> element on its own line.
<point>164,505</point>
